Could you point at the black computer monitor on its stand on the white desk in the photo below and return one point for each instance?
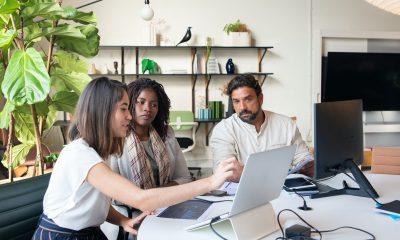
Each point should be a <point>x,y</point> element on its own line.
<point>339,146</point>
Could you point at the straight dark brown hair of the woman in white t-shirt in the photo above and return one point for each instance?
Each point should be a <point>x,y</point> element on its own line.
<point>93,116</point>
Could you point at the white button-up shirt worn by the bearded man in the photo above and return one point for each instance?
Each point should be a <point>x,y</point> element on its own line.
<point>234,138</point>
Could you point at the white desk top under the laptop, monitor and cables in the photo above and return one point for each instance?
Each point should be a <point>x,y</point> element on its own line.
<point>328,213</point>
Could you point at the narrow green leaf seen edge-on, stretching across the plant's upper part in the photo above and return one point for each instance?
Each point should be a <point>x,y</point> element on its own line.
<point>61,30</point>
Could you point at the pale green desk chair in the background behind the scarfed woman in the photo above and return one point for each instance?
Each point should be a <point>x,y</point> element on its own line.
<point>184,126</point>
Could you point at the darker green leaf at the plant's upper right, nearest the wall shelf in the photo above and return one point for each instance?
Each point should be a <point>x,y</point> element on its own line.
<point>88,47</point>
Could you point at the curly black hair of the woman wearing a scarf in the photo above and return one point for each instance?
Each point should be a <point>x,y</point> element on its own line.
<point>160,122</point>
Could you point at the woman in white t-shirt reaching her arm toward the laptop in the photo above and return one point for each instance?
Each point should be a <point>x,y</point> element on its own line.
<point>82,185</point>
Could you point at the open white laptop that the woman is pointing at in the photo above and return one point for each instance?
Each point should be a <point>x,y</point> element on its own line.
<point>261,181</point>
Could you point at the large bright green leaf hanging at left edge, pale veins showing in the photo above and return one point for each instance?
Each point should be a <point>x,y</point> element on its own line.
<point>26,79</point>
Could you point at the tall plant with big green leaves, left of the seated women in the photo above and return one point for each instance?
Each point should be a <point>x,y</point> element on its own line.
<point>41,69</point>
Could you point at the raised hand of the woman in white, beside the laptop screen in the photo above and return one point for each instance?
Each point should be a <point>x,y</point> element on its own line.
<point>223,172</point>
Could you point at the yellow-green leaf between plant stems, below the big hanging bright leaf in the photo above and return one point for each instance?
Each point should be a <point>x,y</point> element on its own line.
<point>24,127</point>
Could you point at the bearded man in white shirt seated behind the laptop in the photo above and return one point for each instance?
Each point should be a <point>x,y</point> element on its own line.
<point>252,129</point>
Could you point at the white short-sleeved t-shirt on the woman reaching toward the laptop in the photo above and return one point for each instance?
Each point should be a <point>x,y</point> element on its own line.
<point>70,201</point>
